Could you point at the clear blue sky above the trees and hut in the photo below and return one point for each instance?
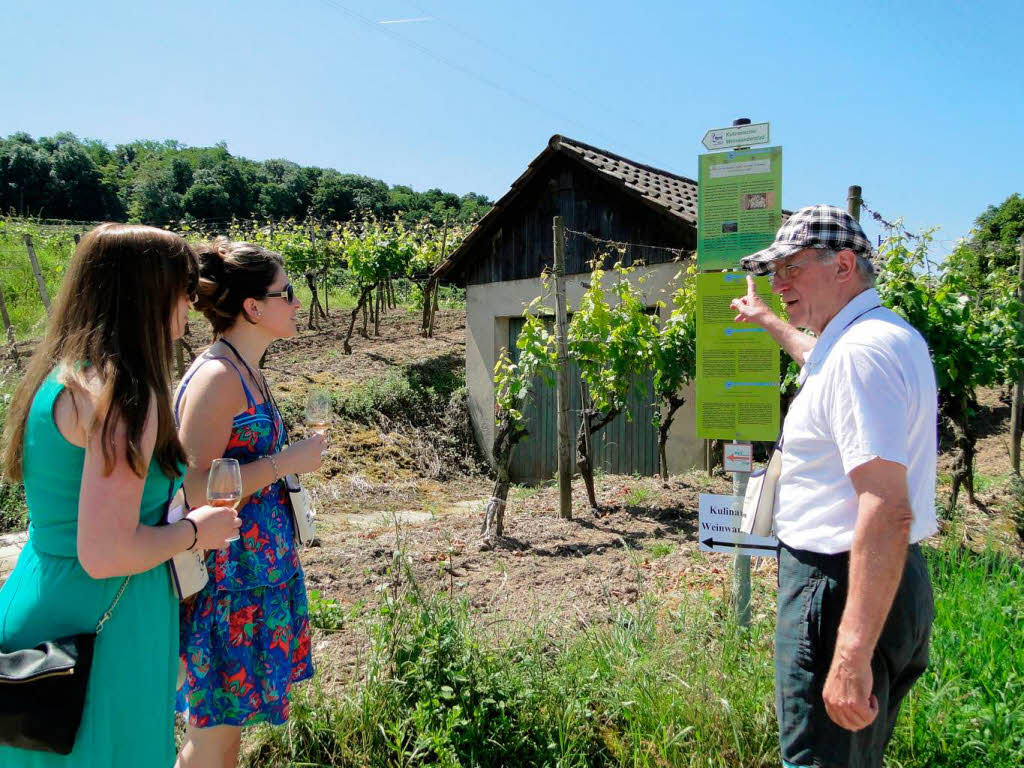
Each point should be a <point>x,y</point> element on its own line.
<point>920,103</point>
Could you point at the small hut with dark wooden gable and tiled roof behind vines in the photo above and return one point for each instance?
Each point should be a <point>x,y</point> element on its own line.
<point>602,197</point>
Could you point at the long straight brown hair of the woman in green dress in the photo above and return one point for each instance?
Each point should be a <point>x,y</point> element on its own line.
<point>113,315</point>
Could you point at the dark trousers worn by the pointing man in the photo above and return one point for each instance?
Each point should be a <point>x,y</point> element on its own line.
<point>812,598</point>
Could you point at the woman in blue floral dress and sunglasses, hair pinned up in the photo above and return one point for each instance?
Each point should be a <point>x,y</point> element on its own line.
<point>245,638</point>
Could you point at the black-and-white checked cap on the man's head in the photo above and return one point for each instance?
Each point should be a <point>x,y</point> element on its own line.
<point>813,227</point>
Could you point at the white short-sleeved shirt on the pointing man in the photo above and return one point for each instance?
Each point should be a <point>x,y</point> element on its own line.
<point>868,392</point>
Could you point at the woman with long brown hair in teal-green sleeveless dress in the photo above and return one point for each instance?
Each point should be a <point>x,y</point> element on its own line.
<point>92,435</point>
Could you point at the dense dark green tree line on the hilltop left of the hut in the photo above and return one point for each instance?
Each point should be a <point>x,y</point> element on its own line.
<point>157,183</point>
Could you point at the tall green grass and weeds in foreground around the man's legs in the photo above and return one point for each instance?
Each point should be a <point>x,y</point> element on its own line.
<point>662,684</point>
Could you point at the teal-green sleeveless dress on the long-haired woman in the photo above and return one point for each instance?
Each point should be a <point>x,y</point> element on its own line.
<point>130,706</point>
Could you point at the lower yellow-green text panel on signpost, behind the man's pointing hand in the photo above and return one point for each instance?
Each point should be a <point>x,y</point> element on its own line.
<point>738,364</point>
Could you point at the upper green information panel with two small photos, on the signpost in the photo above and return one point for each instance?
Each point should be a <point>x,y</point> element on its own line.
<point>740,205</point>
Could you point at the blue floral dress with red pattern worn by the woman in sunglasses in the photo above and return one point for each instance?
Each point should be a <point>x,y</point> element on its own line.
<point>245,637</point>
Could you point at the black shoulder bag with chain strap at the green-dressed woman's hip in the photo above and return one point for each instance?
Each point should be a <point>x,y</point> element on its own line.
<point>42,691</point>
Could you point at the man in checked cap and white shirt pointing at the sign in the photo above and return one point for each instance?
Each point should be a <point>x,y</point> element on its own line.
<point>857,494</point>
